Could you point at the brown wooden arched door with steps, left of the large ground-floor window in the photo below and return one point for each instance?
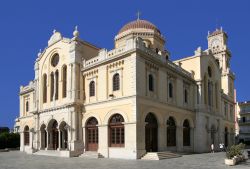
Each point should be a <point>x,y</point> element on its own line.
<point>92,134</point>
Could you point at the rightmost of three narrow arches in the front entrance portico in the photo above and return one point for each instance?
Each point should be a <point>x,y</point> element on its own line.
<point>63,135</point>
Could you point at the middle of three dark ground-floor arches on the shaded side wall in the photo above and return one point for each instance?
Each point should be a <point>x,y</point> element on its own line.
<point>171,132</point>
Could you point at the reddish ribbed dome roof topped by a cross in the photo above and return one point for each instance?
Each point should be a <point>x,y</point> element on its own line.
<point>139,24</point>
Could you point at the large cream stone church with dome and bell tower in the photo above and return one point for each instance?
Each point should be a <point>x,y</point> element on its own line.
<point>129,101</point>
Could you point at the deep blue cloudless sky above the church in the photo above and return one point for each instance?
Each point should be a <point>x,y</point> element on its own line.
<point>25,27</point>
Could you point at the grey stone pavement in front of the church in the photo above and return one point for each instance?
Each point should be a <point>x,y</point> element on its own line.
<point>19,160</point>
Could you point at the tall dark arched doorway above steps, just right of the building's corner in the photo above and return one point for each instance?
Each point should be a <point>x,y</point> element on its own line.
<point>151,133</point>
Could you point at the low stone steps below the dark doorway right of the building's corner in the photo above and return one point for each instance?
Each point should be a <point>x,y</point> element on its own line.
<point>159,155</point>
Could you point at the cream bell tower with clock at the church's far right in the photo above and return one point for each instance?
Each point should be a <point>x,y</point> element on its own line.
<point>217,44</point>
